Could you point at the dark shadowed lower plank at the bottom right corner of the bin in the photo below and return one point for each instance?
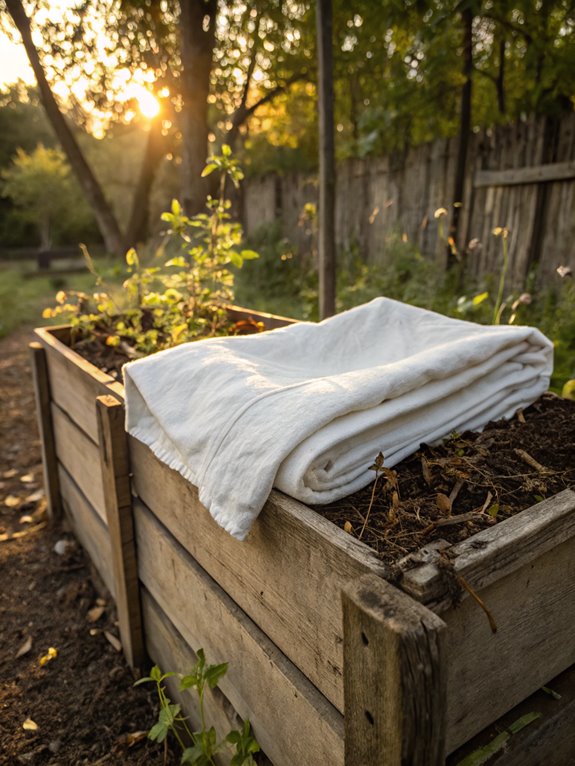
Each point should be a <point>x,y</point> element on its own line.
<point>549,739</point>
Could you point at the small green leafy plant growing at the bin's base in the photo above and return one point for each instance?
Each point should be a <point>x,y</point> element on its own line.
<point>204,742</point>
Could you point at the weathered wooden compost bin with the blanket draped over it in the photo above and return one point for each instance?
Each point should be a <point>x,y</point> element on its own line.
<point>302,610</point>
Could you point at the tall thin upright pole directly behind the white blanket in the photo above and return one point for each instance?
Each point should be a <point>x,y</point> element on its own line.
<point>326,160</point>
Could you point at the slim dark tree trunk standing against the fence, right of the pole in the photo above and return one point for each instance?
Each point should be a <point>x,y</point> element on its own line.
<point>464,131</point>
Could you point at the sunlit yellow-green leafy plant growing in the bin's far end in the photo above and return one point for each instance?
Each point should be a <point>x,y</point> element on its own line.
<point>176,298</point>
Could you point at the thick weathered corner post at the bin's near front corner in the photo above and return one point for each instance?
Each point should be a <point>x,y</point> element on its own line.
<point>394,678</point>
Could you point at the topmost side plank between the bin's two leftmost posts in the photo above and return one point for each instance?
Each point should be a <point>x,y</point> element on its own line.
<point>75,383</point>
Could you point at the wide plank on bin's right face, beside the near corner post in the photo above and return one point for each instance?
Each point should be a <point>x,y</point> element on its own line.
<point>489,673</point>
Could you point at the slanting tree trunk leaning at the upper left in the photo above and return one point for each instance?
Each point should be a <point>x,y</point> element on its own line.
<point>104,216</point>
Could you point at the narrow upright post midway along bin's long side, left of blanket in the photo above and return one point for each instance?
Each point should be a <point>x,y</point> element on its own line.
<point>118,499</point>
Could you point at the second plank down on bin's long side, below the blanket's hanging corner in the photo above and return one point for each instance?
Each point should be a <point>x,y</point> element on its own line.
<point>261,683</point>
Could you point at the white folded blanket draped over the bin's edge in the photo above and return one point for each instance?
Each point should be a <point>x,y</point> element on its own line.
<point>307,407</point>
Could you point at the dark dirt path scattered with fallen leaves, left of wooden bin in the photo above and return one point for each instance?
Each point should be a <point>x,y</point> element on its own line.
<point>79,707</point>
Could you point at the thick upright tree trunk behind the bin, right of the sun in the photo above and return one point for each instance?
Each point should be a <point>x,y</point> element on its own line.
<point>197,30</point>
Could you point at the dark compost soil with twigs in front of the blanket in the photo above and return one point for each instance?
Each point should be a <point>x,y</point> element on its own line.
<point>470,482</point>
